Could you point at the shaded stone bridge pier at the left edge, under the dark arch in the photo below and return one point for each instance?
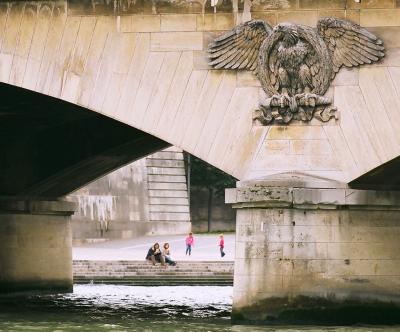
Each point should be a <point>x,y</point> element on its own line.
<point>35,245</point>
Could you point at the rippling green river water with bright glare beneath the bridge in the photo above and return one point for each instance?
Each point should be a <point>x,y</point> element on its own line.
<point>132,308</point>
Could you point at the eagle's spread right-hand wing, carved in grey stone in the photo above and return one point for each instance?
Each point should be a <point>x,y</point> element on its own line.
<point>349,44</point>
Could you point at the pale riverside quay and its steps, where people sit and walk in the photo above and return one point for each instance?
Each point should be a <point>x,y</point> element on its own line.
<point>122,261</point>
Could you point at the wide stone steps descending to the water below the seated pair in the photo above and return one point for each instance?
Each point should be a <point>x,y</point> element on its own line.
<point>142,273</point>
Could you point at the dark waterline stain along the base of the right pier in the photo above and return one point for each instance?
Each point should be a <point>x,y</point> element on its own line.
<point>304,310</point>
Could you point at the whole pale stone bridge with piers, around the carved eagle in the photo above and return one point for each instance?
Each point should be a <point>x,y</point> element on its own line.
<point>88,86</point>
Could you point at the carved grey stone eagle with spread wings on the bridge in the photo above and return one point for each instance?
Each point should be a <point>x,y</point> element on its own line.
<point>295,63</point>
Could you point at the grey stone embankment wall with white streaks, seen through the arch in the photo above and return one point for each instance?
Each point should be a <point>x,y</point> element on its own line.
<point>146,197</point>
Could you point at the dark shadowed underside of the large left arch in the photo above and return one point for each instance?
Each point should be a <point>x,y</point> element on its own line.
<point>50,148</point>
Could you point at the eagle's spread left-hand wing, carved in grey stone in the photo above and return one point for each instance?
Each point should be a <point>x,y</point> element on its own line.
<point>239,48</point>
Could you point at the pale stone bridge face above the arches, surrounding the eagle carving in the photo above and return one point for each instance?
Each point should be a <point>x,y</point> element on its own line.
<point>148,68</point>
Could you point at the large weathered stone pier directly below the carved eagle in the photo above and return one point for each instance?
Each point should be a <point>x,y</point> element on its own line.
<point>312,251</point>
